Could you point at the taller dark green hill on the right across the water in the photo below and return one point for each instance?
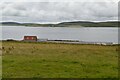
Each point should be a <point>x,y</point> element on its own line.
<point>89,24</point>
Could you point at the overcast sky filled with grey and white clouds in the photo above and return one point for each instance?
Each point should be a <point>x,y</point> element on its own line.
<point>54,11</point>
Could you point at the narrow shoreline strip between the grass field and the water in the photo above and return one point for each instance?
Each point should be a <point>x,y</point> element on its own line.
<point>66,42</point>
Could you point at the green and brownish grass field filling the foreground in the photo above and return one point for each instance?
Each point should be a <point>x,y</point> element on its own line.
<point>50,60</point>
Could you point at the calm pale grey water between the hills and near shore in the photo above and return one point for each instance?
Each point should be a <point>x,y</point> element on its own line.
<point>91,34</point>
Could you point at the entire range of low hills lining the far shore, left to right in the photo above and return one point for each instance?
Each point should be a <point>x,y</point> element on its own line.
<point>66,24</point>
